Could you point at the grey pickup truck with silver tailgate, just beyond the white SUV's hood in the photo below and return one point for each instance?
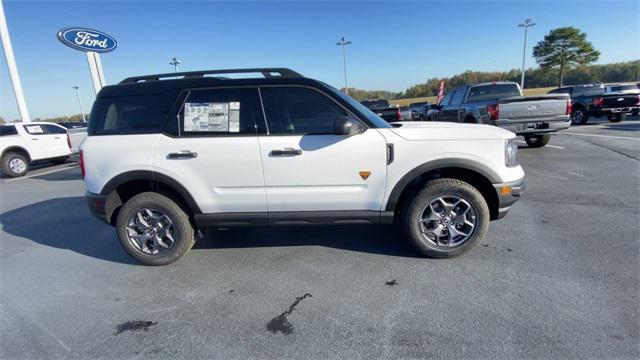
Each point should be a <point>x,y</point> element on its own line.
<point>502,104</point>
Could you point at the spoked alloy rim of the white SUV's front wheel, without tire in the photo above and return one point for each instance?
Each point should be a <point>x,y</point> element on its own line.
<point>448,221</point>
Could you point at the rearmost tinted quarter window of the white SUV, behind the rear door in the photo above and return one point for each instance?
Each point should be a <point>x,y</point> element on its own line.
<point>140,114</point>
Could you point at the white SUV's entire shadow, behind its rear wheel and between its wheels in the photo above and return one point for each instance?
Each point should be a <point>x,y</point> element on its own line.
<point>66,223</point>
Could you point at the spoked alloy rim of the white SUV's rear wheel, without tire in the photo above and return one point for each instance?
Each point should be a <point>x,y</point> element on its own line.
<point>150,231</point>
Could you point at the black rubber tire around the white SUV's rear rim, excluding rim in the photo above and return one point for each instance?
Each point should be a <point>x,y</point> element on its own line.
<point>183,230</point>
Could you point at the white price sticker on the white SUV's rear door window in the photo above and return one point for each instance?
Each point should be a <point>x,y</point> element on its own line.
<point>212,117</point>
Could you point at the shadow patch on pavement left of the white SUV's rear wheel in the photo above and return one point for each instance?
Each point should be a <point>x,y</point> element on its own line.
<point>65,223</point>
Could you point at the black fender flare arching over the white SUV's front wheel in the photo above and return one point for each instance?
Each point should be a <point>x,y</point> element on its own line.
<point>461,163</point>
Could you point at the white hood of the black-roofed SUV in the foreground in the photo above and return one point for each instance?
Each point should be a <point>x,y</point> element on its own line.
<point>433,130</point>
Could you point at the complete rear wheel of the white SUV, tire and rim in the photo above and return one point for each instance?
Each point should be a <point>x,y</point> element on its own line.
<point>154,229</point>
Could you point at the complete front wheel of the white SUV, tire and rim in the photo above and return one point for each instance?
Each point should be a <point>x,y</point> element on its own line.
<point>447,218</point>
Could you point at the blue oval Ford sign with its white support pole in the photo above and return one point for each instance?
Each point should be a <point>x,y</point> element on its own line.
<point>92,42</point>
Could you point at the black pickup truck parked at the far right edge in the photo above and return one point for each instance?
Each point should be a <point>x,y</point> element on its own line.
<point>593,100</point>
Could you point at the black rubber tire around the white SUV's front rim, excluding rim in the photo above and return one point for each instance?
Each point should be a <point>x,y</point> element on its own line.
<point>433,189</point>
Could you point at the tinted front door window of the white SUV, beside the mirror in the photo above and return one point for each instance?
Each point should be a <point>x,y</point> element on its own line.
<point>298,110</point>
